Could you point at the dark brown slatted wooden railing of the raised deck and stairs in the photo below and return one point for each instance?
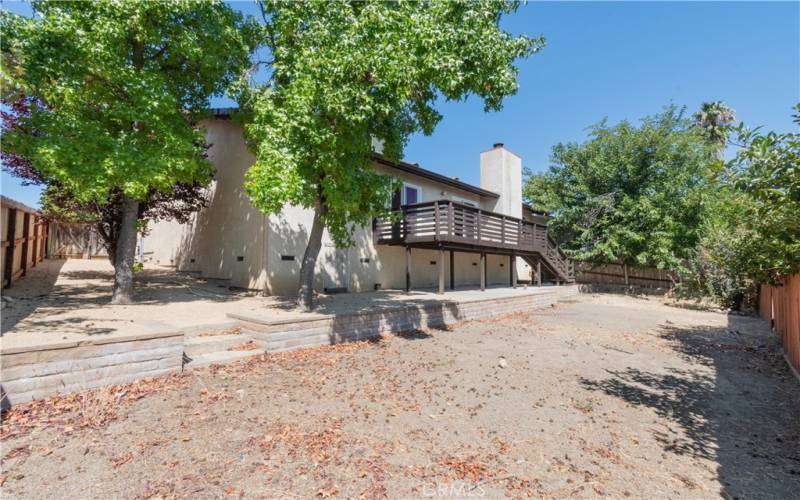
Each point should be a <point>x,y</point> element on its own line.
<point>453,222</point>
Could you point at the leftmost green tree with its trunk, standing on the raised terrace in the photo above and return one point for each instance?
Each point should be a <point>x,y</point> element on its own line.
<point>117,89</point>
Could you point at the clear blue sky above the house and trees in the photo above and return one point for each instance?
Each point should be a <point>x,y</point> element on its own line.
<point>620,60</point>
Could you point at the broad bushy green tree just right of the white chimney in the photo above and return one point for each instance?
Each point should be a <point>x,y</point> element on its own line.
<point>629,195</point>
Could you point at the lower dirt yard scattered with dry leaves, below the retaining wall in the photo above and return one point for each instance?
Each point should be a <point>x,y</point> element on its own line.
<point>602,396</point>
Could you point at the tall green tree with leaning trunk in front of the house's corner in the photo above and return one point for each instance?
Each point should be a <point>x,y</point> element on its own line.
<point>343,73</point>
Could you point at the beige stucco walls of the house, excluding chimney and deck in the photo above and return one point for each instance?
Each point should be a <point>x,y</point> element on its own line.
<point>229,228</point>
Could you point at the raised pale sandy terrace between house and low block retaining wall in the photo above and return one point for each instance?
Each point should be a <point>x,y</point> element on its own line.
<point>63,301</point>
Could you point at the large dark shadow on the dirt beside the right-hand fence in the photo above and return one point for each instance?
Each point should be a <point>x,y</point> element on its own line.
<point>742,412</point>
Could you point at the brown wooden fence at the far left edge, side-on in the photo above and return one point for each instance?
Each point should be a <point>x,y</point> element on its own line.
<point>24,236</point>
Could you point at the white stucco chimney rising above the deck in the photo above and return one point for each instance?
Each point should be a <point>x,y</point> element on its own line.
<point>501,172</point>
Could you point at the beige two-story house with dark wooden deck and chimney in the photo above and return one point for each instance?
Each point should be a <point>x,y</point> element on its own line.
<point>452,233</point>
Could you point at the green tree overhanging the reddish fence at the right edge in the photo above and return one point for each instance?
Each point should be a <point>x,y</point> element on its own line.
<point>751,229</point>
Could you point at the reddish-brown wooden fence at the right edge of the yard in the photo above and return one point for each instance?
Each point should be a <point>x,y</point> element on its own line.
<point>781,305</point>
